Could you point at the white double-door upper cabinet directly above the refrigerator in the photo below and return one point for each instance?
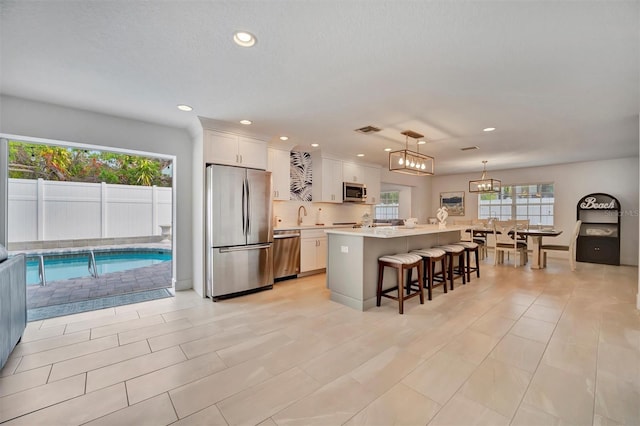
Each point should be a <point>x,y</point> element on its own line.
<point>234,150</point>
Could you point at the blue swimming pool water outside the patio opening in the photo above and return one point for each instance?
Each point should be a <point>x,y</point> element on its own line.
<point>76,266</point>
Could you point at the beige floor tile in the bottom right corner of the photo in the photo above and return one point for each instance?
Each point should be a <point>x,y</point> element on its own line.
<point>617,399</point>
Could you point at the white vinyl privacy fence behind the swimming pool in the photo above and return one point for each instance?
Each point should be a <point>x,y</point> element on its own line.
<point>42,210</point>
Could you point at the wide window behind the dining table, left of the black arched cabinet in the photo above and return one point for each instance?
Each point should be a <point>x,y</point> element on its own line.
<point>530,201</point>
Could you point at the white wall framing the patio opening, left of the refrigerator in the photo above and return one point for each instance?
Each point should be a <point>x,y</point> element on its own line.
<point>27,118</point>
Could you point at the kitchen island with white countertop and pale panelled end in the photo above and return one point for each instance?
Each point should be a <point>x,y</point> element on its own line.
<point>352,263</point>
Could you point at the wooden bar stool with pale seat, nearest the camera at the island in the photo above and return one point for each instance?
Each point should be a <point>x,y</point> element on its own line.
<point>400,262</point>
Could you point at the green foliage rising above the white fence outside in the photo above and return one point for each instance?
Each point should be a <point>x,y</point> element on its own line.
<point>49,162</point>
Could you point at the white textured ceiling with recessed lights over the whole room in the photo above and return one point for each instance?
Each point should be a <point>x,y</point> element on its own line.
<point>559,80</point>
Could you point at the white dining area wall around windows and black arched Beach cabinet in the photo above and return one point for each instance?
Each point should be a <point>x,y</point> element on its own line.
<point>571,182</point>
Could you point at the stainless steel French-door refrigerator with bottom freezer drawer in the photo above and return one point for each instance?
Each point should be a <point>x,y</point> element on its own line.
<point>239,232</point>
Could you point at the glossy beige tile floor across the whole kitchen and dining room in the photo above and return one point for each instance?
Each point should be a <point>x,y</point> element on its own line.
<point>517,347</point>
